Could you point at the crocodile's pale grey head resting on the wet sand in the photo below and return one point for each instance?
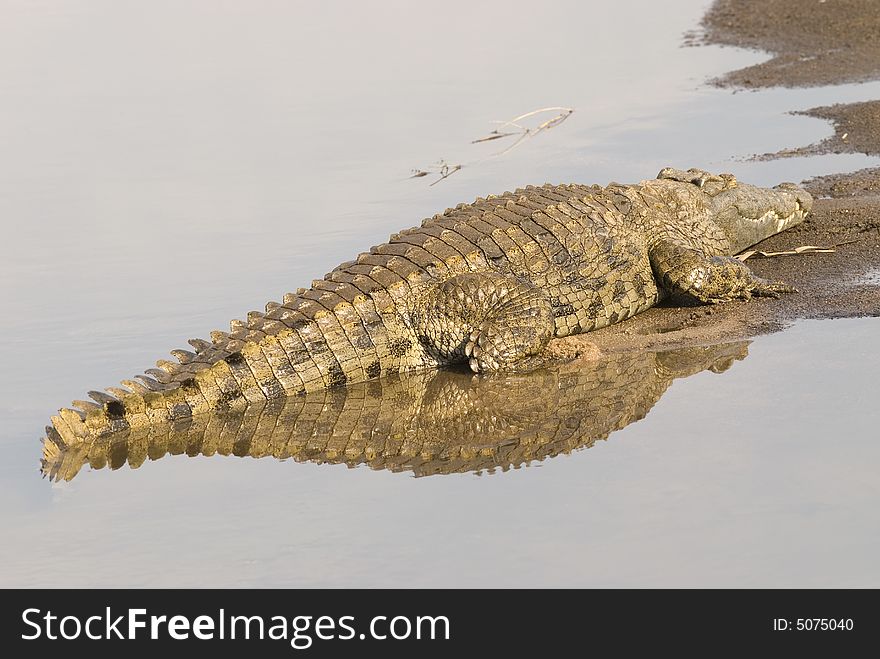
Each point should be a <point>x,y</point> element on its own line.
<point>747,213</point>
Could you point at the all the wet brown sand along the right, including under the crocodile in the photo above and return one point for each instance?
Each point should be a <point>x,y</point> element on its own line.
<point>827,43</point>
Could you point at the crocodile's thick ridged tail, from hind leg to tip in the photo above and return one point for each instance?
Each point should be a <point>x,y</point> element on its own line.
<point>297,346</point>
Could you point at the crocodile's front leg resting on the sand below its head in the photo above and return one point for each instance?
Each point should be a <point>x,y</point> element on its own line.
<point>709,279</point>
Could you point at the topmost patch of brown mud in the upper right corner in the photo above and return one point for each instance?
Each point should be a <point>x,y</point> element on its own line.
<point>811,43</point>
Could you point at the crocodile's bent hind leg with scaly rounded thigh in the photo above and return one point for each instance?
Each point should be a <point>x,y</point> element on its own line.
<point>490,320</point>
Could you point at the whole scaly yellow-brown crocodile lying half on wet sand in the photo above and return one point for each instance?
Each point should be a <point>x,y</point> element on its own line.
<point>487,284</point>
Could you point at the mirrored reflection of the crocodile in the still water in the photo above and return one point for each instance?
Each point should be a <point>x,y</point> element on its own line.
<point>437,422</point>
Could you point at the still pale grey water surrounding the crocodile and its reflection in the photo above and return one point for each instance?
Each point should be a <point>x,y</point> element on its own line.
<point>168,166</point>
